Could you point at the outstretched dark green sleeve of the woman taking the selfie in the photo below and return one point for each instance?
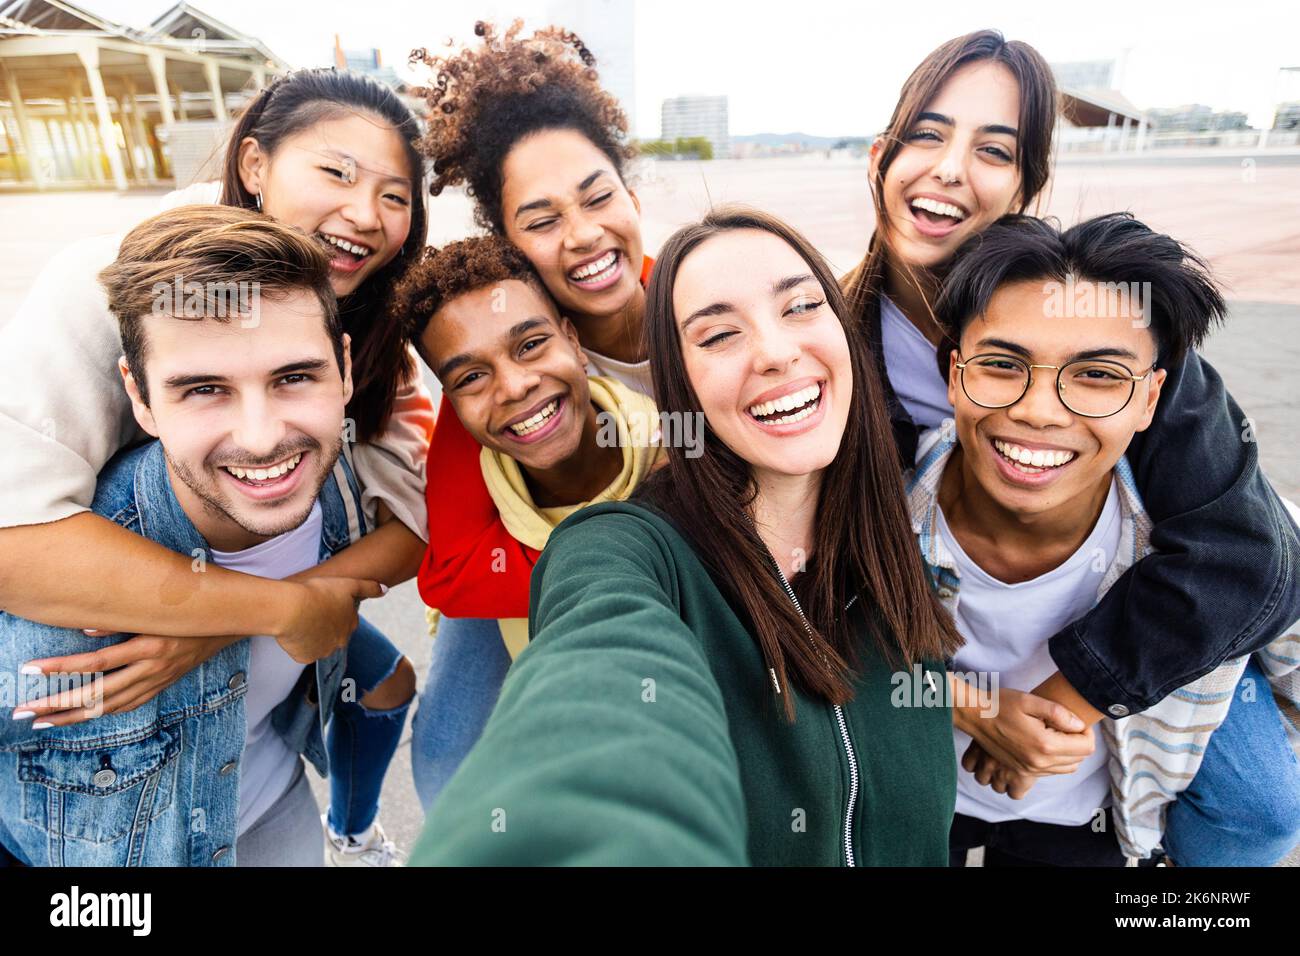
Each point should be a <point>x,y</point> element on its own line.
<point>609,745</point>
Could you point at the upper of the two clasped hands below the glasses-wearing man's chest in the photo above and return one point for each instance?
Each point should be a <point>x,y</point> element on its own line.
<point>1029,734</point>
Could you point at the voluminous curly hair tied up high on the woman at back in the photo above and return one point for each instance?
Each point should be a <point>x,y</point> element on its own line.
<point>484,101</point>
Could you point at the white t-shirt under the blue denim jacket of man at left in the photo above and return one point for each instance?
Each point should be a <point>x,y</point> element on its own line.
<point>268,764</point>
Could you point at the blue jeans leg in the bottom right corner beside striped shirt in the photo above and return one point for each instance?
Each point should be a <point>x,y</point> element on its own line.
<point>1243,807</point>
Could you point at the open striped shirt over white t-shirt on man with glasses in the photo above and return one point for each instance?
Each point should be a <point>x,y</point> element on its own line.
<point>1154,755</point>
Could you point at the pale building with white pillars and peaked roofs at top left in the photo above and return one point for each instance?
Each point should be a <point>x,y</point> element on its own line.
<point>90,102</point>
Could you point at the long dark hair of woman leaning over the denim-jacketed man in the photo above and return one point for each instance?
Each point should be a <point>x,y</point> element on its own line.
<point>293,103</point>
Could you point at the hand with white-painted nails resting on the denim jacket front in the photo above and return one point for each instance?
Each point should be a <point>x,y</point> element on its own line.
<point>131,674</point>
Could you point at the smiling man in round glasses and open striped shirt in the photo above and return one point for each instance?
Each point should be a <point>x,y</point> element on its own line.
<point>1028,512</point>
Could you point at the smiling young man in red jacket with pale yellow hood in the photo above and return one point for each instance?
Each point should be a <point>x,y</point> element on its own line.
<point>540,440</point>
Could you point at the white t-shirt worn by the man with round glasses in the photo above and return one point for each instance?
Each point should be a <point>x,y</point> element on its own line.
<point>1007,630</point>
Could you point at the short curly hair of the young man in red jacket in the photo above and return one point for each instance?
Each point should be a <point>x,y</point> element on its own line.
<point>441,275</point>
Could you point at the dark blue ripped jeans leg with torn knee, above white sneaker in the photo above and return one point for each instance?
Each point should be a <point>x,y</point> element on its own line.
<point>362,742</point>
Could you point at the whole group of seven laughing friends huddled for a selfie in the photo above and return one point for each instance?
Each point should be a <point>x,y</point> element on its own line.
<point>729,560</point>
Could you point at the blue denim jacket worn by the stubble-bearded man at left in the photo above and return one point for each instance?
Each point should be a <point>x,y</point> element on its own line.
<point>158,786</point>
